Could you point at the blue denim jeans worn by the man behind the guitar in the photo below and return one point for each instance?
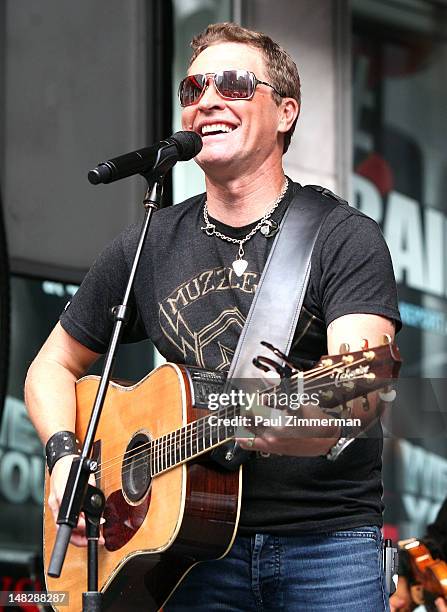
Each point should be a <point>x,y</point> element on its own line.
<point>332,572</point>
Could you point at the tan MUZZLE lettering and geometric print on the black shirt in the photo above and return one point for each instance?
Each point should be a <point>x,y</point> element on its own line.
<point>199,323</point>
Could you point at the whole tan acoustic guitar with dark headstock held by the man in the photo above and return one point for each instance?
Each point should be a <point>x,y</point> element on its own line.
<point>168,505</point>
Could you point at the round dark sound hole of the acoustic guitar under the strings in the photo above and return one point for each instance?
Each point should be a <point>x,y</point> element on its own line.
<point>135,471</point>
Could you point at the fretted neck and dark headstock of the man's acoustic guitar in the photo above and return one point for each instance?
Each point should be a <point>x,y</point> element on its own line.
<point>334,380</point>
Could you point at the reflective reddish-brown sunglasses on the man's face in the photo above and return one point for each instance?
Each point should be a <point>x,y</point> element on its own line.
<point>230,85</point>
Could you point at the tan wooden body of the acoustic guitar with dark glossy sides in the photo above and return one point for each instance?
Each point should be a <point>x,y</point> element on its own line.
<point>156,528</point>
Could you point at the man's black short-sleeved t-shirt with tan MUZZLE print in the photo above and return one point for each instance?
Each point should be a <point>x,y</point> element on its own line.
<point>190,303</point>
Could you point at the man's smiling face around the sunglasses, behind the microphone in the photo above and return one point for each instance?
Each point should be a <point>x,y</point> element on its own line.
<point>238,135</point>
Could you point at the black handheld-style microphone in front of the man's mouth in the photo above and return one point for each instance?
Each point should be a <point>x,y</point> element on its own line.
<point>157,159</point>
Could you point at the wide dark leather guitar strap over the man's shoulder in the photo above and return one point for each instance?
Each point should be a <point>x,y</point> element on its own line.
<point>277,303</point>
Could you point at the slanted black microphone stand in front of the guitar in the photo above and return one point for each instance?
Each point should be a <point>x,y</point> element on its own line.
<point>79,495</point>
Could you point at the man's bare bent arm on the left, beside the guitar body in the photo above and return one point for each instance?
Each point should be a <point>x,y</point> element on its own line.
<point>51,401</point>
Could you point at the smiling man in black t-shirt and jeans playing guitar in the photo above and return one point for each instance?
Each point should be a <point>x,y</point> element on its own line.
<point>309,536</point>
